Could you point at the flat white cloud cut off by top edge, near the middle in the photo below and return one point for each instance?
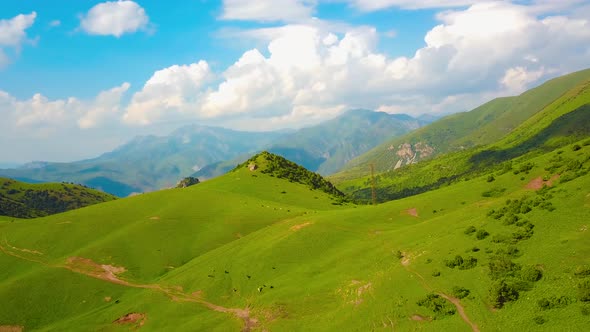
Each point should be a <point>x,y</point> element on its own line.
<point>268,10</point>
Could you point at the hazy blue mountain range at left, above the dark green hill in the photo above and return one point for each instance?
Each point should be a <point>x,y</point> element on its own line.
<point>149,163</point>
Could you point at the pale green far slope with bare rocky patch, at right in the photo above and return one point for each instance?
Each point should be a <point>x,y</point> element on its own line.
<point>481,126</point>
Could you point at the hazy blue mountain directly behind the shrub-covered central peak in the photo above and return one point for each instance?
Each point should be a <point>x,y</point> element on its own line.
<point>328,146</point>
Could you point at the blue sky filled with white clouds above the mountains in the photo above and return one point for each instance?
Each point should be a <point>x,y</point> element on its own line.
<point>78,78</point>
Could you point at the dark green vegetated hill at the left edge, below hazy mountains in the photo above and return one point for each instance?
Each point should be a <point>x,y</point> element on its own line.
<point>23,200</point>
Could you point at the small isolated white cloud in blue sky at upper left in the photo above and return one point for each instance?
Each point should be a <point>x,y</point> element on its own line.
<point>114,18</point>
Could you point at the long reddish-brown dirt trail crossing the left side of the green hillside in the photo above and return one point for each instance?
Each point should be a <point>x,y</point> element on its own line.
<point>109,273</point>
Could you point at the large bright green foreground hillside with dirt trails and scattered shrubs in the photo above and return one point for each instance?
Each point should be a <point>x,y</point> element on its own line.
<point>245,252</point>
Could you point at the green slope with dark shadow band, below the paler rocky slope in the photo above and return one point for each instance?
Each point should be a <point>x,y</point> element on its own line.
<point>564,120</point>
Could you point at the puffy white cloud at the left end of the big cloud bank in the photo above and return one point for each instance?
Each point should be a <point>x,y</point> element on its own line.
<point>169,91</point>
